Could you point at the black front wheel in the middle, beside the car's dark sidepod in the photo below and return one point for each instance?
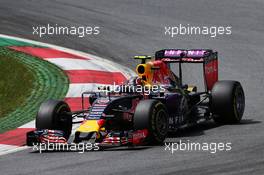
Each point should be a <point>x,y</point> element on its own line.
<point>152,115</point>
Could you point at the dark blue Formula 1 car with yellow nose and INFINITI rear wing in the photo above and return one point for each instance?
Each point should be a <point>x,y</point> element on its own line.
<point>145,108</point>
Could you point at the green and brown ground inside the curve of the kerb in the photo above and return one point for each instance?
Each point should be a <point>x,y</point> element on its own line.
<point>26,82</point>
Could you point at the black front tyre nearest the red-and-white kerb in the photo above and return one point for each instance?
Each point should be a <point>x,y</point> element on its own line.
<point>54,115</point>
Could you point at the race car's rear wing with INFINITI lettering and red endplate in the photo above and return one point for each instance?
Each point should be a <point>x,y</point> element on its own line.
<point>207,57</point>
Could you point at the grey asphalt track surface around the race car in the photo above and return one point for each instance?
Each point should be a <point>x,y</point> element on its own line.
<point>130,28</point>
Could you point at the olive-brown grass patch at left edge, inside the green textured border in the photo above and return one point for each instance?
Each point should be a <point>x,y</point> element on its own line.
<point>16,83</point>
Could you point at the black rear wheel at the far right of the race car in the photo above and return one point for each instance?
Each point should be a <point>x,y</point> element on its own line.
<point>228,102</point>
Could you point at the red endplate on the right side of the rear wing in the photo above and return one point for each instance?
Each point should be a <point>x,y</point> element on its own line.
<point>211,73</point>
